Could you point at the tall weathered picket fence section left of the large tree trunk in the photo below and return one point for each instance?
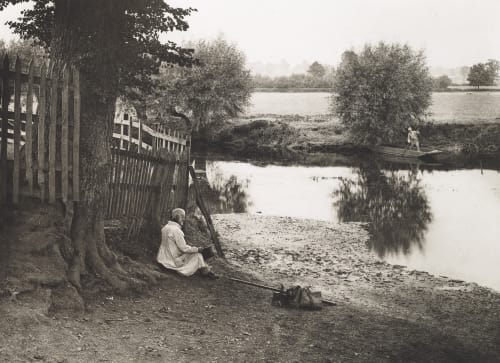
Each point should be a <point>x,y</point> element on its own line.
<point>40,131</point>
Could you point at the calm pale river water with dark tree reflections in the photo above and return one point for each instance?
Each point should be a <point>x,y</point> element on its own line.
<point>443,222</point>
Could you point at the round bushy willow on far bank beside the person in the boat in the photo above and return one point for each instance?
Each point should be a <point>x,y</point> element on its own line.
<point>380,91</point>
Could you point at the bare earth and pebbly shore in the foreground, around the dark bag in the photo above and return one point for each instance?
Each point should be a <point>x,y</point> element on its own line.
<point>384,313</point>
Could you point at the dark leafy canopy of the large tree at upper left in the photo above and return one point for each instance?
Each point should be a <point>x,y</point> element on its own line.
<point>139,23</point>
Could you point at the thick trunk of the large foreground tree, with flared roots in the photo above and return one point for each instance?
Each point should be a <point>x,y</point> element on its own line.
<point>78,22</point>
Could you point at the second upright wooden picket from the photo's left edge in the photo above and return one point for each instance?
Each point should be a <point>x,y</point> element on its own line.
<point>17,131</point>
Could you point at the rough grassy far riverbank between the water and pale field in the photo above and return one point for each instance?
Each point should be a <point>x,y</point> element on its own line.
<point>275,135</point>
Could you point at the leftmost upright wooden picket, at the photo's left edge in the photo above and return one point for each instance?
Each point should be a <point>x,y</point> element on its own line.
<point>5,126</point>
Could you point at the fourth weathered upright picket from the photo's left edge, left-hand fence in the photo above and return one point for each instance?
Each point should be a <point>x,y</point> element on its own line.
<point>41,131</point>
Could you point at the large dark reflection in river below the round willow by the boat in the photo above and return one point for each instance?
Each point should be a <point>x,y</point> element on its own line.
<point>395,205</point>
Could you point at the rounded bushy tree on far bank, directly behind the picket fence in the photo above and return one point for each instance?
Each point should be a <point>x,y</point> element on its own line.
<point>217,87</point>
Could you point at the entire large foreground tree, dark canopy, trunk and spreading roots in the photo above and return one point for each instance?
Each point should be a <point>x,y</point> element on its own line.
<point>116,46</point>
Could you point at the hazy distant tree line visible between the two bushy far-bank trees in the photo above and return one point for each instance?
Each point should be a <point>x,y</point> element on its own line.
<point>317,76</point>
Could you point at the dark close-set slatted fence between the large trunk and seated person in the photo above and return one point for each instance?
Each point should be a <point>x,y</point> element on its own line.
<point>146,186</point>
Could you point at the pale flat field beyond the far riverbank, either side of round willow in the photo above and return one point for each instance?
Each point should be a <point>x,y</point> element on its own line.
<point>451,107</point>
